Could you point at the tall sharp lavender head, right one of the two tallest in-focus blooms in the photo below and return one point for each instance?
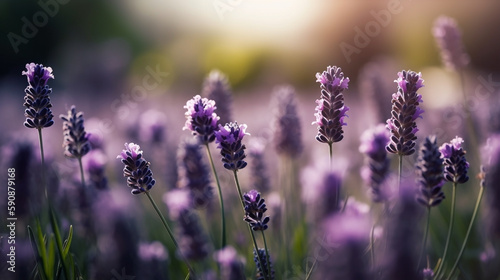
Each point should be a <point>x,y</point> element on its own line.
<point>404,112</point>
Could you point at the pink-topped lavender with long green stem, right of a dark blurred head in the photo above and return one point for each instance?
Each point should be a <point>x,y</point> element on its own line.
<point>455,171</point>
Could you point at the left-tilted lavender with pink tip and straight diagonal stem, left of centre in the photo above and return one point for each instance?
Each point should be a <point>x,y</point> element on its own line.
<point>140,180</point>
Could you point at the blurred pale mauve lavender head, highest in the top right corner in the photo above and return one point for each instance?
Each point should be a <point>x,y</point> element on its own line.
<point>449,41</point>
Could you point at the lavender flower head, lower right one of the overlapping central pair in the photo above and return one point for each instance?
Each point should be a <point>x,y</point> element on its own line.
<point>232,150</point>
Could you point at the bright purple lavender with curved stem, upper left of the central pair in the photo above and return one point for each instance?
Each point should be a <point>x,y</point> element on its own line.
<point>202,121</point>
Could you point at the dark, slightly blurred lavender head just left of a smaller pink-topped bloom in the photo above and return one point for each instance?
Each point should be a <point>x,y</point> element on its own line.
<point>430,173</point>
